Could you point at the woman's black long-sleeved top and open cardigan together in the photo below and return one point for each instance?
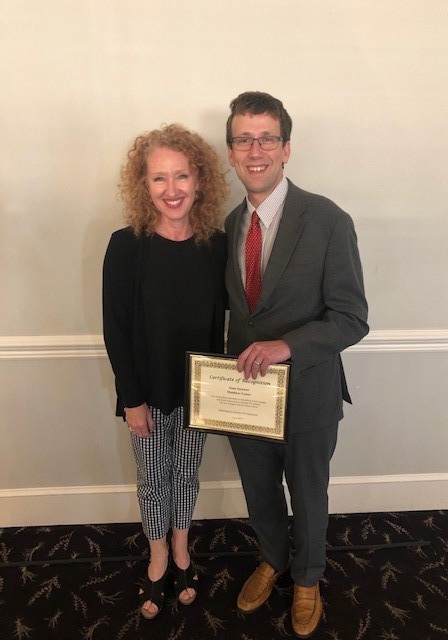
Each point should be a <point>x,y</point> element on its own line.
<point>161,298</point>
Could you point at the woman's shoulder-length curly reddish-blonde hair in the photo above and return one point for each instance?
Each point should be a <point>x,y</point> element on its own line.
<point>207,213</point>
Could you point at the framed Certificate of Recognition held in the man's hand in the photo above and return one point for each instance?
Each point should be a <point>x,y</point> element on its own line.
<point>219,400</point>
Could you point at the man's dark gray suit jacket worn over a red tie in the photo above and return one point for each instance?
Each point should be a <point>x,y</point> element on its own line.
<point>312,297</point>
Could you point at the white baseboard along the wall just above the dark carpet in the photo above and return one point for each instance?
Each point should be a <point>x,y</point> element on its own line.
<point>105,504</point>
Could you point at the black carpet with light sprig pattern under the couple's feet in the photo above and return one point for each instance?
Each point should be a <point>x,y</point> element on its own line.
<point>386,579</point>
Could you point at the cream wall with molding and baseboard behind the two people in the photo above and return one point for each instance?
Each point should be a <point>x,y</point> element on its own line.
<point>366,83</point>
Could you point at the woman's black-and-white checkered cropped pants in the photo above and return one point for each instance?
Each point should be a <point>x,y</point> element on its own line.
<point>167,473</point>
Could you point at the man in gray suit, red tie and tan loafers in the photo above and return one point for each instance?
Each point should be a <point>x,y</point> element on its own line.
<point>309,307</point>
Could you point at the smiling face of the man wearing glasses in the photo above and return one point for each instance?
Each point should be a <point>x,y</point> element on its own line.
<point>260,171</point>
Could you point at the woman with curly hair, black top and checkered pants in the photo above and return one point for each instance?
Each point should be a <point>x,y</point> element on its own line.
<point>163,295</point>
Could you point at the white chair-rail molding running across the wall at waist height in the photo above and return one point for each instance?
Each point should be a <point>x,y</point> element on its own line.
<point>92,346</point>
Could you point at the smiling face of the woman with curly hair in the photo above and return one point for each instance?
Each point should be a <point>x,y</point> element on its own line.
<point>172,184</point>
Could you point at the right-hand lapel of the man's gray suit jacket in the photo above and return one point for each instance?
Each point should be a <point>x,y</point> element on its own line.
<point>288,234</point>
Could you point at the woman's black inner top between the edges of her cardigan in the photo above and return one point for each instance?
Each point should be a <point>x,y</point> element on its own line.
<point>178,305</point>
